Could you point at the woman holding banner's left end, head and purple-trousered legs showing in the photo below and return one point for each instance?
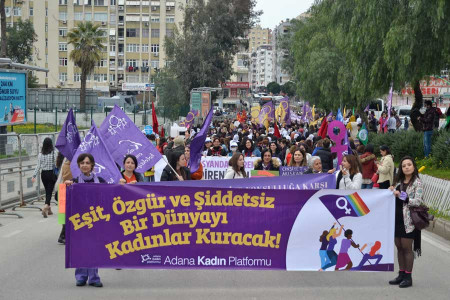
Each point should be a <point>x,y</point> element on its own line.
<point>86,164</point>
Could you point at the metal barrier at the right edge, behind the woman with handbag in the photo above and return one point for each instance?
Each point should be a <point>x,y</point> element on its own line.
<point>436,193</point>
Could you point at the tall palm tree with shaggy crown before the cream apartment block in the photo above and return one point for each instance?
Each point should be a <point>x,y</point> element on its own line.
<point>87,40</point>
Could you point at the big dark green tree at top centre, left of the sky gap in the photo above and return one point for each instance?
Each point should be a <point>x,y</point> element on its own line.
<point>202,51</point>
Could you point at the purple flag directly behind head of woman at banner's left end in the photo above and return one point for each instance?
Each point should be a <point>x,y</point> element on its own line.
<point>105,166</point>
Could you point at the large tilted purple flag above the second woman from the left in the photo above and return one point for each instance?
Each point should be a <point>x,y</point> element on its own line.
<point>122,137</point>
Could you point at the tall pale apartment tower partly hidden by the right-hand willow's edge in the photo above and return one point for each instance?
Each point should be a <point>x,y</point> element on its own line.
<point>280,75</point>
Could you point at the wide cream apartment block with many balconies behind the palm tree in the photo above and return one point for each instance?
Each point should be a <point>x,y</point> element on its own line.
<point>134,34</point>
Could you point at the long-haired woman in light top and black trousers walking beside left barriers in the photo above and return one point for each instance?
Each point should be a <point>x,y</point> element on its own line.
<point>46,163</point>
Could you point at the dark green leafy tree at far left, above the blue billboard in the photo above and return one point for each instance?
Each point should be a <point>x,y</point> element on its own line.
<point>20,40</point>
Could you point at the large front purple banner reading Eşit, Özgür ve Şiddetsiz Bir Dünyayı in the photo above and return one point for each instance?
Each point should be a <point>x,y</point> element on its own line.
<point>146,226</point>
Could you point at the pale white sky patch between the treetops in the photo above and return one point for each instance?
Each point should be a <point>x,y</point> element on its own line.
<point>276,10</point>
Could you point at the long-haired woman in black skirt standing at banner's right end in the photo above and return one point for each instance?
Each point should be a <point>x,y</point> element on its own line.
<point>408,191</point>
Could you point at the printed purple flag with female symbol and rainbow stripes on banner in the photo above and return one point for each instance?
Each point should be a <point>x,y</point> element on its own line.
<point>345,205</point>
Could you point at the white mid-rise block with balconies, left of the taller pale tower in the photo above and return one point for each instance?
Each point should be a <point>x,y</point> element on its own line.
<point>261,67</point>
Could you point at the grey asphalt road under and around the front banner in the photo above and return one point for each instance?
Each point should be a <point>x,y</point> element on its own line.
<point>32,267</point>
